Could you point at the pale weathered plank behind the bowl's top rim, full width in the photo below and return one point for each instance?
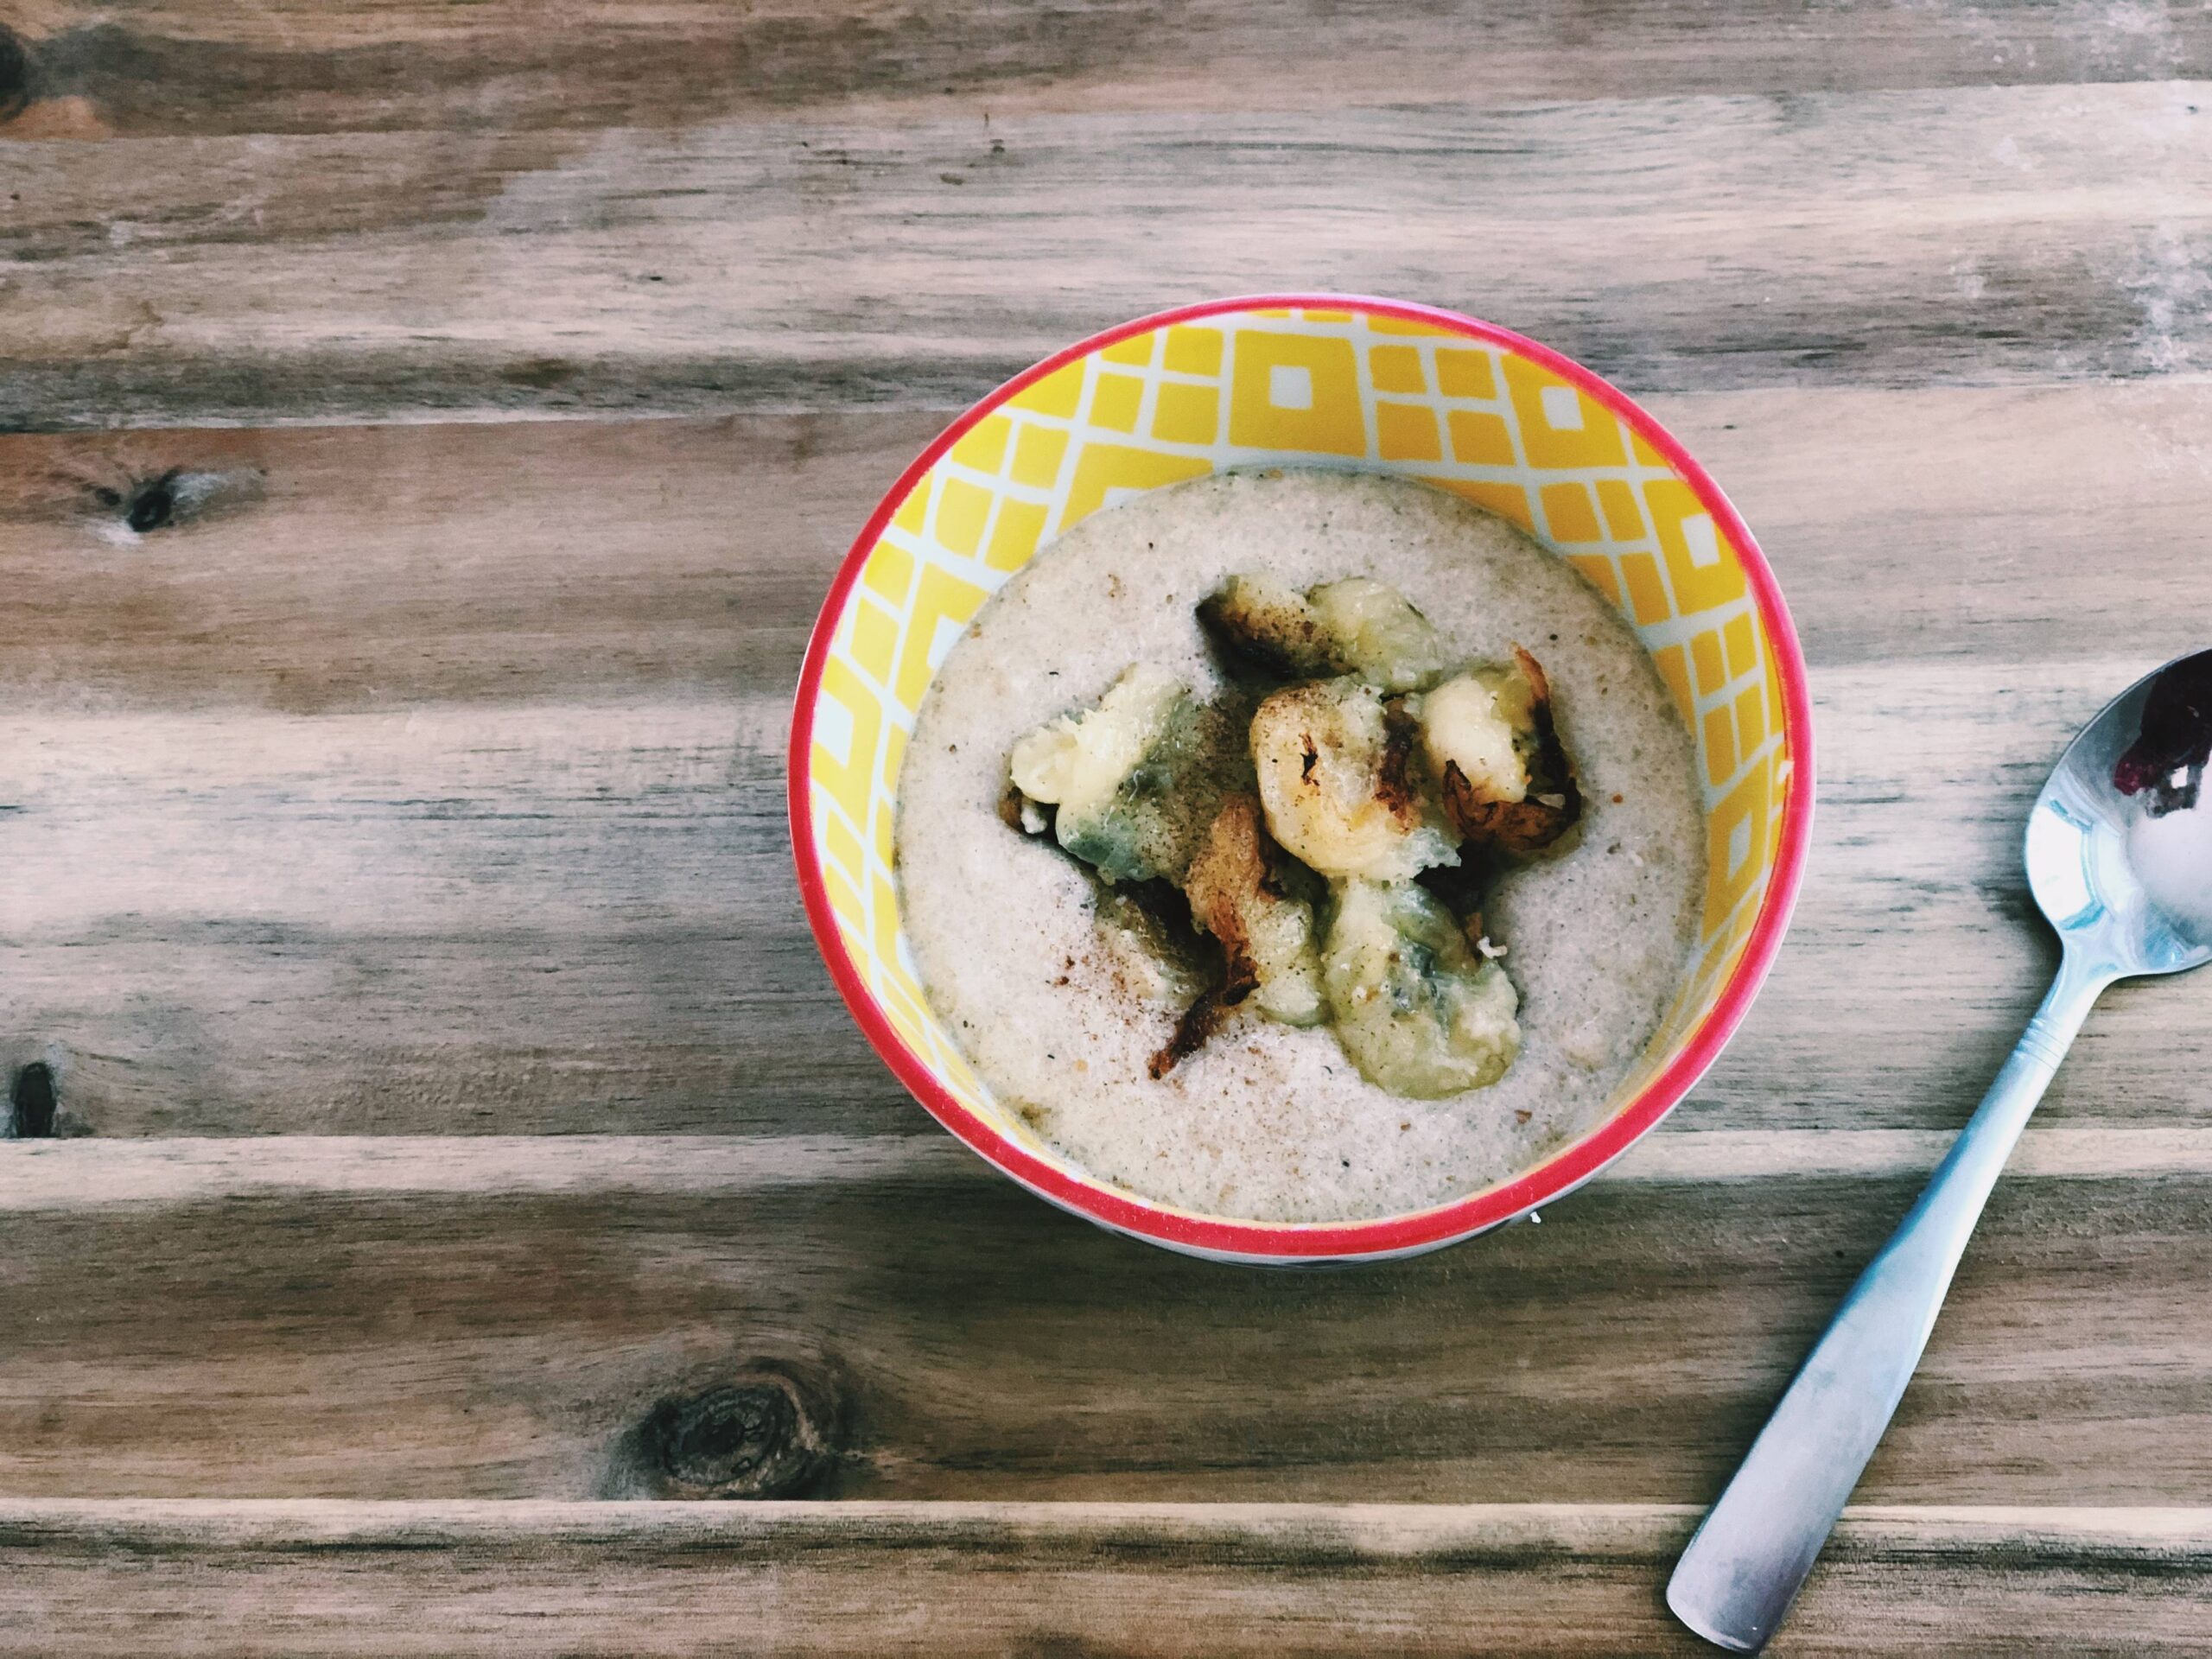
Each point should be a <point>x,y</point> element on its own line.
<point>1870,240</point>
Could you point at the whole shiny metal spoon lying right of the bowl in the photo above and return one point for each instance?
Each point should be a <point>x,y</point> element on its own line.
<point>2120,862</point>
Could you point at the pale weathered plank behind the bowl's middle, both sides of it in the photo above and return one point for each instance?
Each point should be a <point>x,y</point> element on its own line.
<point>490,919</point>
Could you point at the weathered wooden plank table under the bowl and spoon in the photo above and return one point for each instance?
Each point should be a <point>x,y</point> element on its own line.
<point>432,432</point>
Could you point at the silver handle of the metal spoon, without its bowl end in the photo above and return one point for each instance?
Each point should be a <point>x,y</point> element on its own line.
<point>1757,1545</point>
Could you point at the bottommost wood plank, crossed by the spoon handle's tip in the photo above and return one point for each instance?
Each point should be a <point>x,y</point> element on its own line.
<point>1058,1580</point>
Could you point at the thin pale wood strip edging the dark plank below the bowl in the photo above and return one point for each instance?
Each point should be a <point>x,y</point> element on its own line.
<point>101,1173</point>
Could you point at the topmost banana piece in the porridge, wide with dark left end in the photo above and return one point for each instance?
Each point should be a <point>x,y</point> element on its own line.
<point>1355,627</point>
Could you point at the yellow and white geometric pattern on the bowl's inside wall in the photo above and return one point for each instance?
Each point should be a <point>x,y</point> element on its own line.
<point>1280,388</point>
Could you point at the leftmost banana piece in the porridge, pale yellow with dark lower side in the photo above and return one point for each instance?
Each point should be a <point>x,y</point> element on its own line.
<point>1134,782</point>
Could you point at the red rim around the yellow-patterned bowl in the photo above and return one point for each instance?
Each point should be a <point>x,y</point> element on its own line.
<point>1324,1240</point>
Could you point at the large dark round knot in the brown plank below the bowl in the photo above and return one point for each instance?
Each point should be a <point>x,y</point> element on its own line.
<point>769,1432</point>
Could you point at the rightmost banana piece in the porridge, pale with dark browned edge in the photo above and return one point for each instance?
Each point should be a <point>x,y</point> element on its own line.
<point>1499,762</point>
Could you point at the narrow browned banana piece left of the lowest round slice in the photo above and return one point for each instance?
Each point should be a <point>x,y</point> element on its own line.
<point>1242,895</point>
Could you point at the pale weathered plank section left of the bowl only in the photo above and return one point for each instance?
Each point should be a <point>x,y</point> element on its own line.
<point>463,917</point>
